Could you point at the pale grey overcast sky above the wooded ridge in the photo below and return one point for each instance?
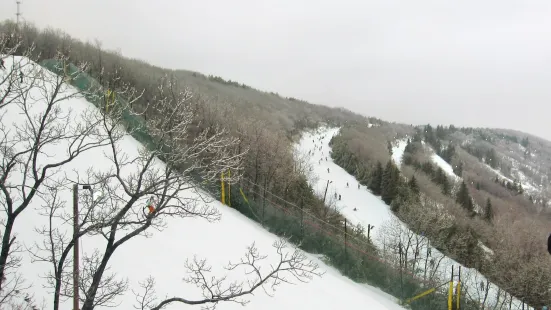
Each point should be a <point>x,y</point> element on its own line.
<point>467,62</point>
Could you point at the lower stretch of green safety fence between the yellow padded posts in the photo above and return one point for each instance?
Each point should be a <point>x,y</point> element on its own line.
<point>344,247</point>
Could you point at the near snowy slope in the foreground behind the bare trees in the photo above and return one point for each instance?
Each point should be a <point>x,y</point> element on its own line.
<point>164,253</point>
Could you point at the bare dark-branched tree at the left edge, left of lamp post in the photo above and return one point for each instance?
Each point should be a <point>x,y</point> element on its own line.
<point>32,124</point>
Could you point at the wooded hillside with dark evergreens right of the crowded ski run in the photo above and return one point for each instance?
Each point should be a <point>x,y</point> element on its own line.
<point>479,206</point>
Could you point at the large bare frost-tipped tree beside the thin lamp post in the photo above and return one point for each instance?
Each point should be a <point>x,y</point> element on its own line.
<point>118,216</point>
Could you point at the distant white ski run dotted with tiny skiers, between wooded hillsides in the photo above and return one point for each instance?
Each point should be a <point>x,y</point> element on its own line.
<point>371,210</point>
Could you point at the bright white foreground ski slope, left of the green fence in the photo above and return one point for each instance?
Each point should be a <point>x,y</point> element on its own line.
<point>163,254</point>
